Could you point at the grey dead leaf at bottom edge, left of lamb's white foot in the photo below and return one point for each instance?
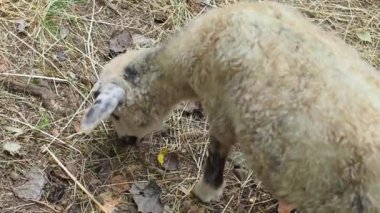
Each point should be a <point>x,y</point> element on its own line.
<point>147,197</point>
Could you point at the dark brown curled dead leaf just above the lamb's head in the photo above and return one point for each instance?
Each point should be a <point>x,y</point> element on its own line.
<point>120,41</point>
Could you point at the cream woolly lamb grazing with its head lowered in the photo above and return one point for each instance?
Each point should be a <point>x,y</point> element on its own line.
<point>302,104</point>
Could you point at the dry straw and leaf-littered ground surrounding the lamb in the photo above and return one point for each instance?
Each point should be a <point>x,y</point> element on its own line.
<point>50,55</point>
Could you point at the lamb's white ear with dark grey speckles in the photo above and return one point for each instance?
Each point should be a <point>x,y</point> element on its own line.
<point>105,103</point>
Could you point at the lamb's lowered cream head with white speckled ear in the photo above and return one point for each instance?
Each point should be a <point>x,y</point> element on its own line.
<point>122,93</point>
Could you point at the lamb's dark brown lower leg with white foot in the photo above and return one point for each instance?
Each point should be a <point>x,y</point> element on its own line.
<point>210,187</point>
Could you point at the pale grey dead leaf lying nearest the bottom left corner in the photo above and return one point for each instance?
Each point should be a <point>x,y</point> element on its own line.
<point>33,188</point>
